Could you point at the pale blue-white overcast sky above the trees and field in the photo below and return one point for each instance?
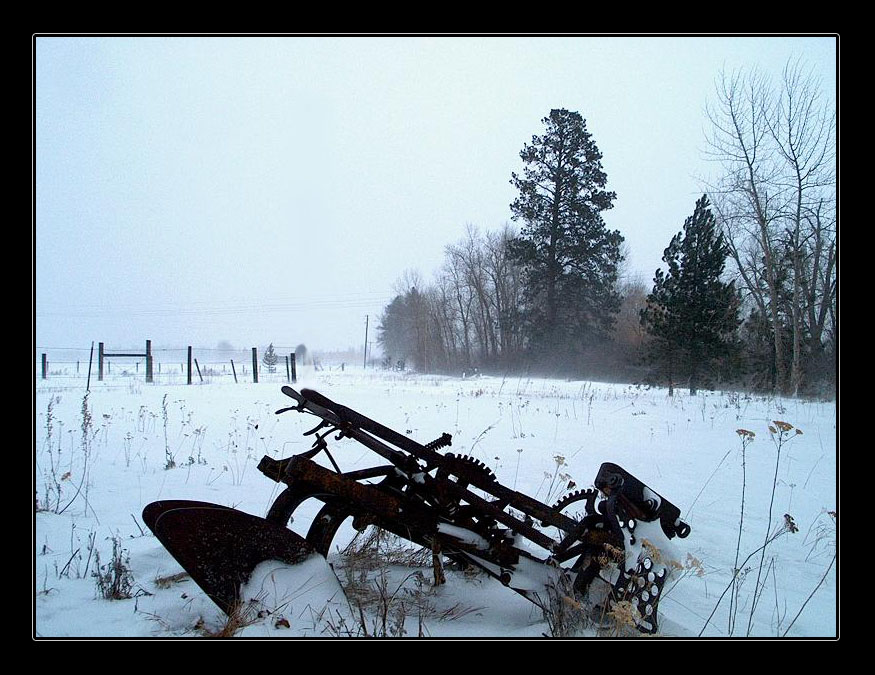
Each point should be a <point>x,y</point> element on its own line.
<point>192,190</point>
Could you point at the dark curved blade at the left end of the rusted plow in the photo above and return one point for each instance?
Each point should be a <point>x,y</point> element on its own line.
<point>219,546</point>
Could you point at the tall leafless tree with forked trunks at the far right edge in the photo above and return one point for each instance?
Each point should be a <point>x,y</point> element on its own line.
<point>774,197</point>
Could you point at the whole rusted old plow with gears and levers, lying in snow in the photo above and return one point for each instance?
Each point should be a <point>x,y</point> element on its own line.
<point>609,535</point>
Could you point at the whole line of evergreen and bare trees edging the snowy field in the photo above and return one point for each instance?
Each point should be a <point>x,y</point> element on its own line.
<point>748,296</point>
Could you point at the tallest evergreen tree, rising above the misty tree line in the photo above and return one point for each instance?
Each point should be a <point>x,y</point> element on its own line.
<point>569,256</point>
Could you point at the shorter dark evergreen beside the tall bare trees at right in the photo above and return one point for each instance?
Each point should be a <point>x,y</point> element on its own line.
<point>691,314</point>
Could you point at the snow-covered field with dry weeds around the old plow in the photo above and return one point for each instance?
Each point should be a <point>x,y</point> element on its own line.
<point>537,435</point>
